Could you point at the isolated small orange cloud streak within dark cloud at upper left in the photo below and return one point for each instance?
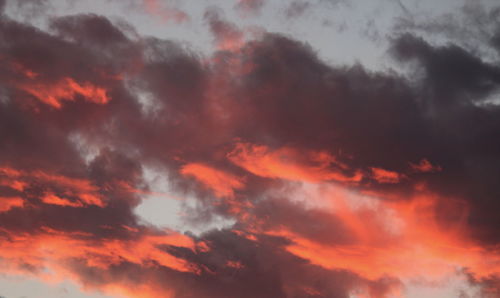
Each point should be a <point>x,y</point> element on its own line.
<point>65,90</point>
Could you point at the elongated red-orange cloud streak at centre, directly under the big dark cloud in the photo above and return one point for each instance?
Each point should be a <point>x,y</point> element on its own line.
<point>290,164</point>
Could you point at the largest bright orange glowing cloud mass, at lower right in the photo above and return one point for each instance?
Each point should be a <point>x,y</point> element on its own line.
<point>403,238</point>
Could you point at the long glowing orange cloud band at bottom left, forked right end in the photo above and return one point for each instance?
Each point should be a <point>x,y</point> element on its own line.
<point>51,249</point>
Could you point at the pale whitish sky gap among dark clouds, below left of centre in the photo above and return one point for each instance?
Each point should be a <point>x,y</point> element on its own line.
<point>163,208</point>
